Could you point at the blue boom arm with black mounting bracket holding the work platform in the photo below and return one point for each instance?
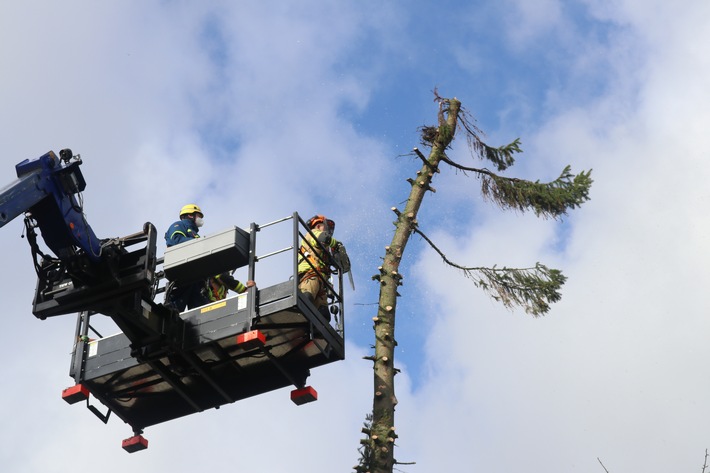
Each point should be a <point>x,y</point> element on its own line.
<point>84,273</point>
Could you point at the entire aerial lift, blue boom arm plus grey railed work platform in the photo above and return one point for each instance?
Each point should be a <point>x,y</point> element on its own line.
<point>163,365</point>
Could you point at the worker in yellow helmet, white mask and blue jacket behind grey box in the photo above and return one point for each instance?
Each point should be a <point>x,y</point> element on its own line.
<point>190,295</point>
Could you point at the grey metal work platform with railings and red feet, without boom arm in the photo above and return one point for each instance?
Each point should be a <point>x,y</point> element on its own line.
<point>245,345</point>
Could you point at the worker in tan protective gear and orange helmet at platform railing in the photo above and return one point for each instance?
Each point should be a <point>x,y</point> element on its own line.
<point>315,260</point>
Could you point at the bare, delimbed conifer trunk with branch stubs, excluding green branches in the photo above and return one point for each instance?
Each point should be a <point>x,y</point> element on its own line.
<point>382,432</point>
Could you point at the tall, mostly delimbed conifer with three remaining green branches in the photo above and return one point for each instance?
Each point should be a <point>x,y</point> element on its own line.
<point>533,288</point>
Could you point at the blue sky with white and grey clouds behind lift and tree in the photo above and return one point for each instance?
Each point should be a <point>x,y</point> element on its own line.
<point>254,110</point>
